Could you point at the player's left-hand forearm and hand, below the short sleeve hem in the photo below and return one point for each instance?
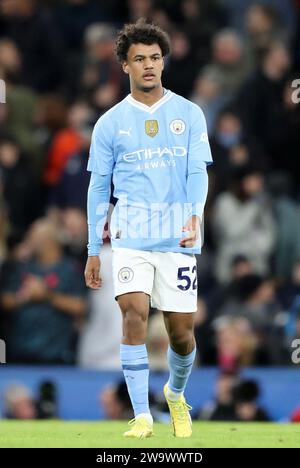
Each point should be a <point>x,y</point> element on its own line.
<point>97,209</point>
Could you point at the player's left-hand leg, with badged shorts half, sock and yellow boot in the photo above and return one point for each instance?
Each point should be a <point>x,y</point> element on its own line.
<point>133,284</point>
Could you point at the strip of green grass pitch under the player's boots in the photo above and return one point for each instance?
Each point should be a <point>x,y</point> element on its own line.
<point>109,434</point>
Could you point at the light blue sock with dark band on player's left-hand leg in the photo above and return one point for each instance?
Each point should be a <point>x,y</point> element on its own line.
<point>134,359</point>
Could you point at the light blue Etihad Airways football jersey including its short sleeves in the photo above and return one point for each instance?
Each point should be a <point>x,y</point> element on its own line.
<point>150,151</point>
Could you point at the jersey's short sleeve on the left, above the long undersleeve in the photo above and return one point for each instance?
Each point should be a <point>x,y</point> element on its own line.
<point>101,157</point>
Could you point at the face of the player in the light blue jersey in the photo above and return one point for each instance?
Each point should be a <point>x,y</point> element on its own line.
<point>144,65</point>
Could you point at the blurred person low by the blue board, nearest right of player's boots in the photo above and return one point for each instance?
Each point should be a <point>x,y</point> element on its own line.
<point>222,407</point>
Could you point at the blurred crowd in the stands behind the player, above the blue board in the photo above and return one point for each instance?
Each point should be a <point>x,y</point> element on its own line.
<point>238,60</point>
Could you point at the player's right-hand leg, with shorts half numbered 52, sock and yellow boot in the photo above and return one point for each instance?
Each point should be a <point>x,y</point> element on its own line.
<point>175,293</point>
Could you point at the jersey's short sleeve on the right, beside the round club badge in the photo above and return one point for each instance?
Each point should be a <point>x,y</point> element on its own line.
<point>199,149</point>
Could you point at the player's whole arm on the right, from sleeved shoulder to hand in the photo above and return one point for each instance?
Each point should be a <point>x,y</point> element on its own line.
<point>199,156</point>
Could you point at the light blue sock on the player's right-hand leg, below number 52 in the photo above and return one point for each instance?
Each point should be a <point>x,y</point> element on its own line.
<point>180,369</point>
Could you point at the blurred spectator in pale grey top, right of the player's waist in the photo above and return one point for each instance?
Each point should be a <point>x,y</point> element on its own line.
<point>243,223</point>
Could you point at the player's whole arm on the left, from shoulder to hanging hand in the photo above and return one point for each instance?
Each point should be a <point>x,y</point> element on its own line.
<point>101,163</point>
